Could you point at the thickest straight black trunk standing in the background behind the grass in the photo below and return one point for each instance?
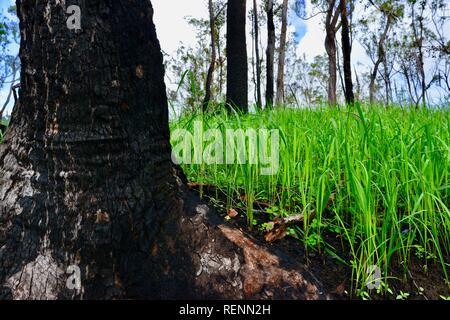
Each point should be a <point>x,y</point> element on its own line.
<point>237,64</point>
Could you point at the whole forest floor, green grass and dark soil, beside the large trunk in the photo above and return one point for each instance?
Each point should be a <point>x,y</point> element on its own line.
<point>361,195</point>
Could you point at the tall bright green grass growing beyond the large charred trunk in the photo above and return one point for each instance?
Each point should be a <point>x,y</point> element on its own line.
<point>387,168</point>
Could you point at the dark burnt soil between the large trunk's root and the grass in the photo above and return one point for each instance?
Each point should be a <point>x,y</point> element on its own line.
<point>420,282</point>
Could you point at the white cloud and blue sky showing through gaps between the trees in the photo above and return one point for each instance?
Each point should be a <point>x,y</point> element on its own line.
<point>172,29</point>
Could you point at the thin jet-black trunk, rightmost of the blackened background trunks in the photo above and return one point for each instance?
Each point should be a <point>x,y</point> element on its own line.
<point>347,55</point>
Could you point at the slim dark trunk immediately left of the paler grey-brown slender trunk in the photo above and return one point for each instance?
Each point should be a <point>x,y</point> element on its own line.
<point>270,55</point>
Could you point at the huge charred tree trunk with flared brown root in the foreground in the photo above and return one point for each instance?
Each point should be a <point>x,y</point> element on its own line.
<point>86,177</point>
